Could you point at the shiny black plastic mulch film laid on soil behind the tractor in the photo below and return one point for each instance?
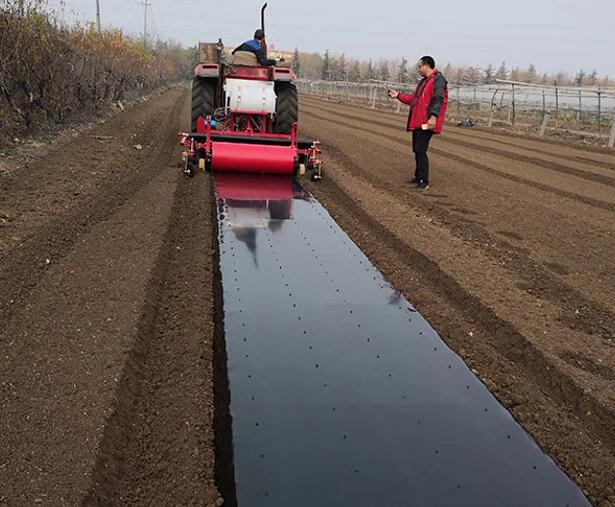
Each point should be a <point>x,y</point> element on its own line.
<point>341,393</point>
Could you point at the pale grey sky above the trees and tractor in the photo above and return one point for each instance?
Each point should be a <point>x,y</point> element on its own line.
<point>553,34</point>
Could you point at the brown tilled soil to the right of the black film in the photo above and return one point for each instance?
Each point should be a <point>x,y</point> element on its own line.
<point>508,255</point>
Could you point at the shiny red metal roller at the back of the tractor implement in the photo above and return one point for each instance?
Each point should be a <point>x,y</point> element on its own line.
<point>253,158</point>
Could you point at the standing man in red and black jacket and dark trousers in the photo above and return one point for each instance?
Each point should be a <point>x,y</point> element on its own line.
<point>428,106</point>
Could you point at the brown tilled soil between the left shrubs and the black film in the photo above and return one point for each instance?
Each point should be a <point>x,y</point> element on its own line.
<point>106,321</point>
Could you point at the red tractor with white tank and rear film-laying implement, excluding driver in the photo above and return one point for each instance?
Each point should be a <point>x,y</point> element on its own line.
<point>244,117</point>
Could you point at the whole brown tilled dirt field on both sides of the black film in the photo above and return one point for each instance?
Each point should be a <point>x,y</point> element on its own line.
<point>106,295</point>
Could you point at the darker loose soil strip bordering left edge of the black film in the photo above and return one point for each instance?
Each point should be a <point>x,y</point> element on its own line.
<point>158,446</point>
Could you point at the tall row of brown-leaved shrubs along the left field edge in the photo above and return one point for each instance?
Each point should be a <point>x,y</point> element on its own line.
<point>51,73</point>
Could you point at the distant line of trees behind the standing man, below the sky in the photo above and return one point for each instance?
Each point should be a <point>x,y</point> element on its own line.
<point>340,68</point>
